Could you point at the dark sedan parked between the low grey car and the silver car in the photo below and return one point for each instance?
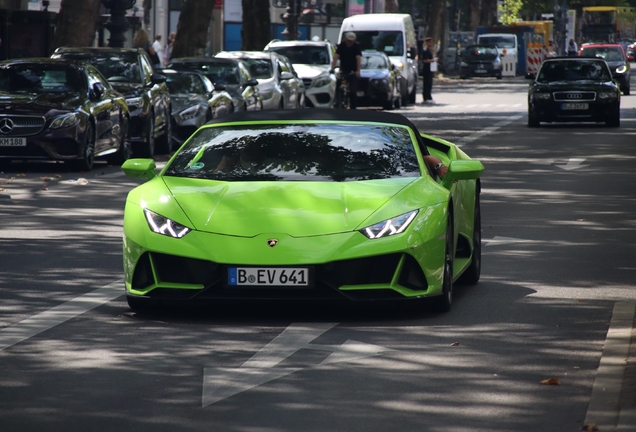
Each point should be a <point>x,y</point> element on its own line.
<point>231,73</point>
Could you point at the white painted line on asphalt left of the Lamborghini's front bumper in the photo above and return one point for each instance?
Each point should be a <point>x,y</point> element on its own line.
<point>46,320</point>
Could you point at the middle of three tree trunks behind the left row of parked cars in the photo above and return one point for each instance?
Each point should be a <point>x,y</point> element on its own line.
<point>192,28</point>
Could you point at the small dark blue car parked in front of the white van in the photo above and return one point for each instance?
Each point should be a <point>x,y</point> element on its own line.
<point>379,81</point>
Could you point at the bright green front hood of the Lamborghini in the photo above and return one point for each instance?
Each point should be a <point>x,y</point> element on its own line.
<point>298,209</point>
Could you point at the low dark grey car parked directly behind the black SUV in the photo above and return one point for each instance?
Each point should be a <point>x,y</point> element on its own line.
<point>195,101</point>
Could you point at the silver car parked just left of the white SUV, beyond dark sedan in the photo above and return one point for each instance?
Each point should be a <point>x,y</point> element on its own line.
<point>279,84</point>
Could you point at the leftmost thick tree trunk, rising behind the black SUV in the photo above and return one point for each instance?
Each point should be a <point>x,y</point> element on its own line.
<point>76,23</point>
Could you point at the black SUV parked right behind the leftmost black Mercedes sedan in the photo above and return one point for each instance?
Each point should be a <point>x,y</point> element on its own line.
<point>130,72</point>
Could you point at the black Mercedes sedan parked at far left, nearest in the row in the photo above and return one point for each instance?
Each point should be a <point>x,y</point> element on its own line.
<point>60,110</point>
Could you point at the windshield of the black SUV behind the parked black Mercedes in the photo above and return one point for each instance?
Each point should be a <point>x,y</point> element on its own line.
<point>116,67</point>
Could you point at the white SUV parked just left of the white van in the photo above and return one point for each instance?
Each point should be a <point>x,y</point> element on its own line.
<point>312,61</point>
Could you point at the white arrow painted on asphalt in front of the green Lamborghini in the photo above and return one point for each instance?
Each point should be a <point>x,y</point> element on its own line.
<point>222,383</point>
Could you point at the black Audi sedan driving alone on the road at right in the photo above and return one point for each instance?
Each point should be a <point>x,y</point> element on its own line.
<point>574,89</point>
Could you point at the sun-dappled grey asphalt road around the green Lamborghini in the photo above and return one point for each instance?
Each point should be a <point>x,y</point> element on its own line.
<point>558,272</point>
